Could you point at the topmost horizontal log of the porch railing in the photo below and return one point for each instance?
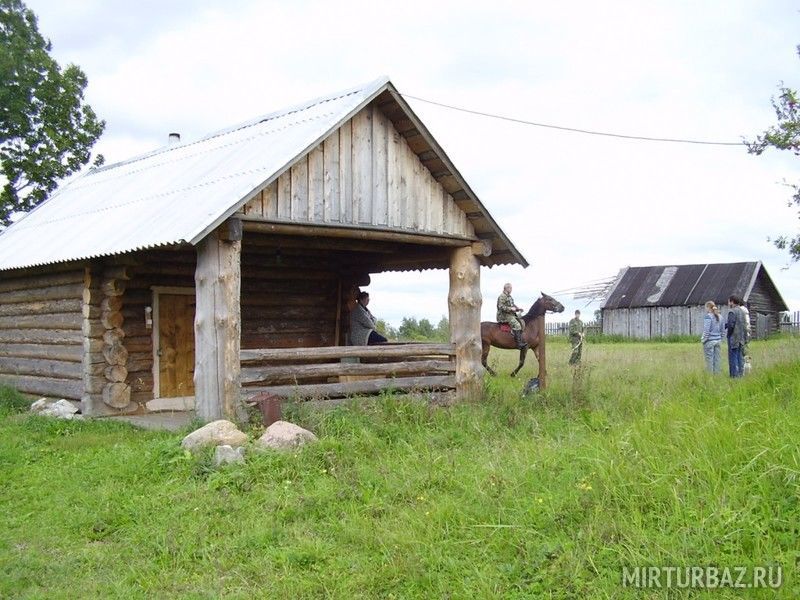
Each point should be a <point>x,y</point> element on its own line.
<point>382,351</point>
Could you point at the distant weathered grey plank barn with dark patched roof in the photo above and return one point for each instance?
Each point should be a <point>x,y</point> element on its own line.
<point>652,302</point>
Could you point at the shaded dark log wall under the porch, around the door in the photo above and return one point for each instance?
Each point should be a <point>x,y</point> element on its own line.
<point>286,302</point>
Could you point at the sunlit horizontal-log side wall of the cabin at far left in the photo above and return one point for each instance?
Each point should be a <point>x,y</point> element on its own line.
<point>41,339</point>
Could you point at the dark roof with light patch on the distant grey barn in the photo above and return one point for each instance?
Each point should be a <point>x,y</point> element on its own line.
<point>688,285</point>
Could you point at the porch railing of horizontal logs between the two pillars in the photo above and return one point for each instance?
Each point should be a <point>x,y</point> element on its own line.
<point>341,371</point>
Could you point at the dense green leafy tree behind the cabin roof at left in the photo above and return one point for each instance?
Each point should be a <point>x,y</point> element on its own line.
<point>46,128</point>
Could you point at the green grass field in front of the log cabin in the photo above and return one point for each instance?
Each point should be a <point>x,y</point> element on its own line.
<point>649,463</point>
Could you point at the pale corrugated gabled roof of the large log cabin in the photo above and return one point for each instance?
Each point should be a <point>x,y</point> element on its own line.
<point>180,193</point>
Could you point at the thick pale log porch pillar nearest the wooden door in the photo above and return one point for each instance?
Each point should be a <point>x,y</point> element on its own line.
<point>217,325</point>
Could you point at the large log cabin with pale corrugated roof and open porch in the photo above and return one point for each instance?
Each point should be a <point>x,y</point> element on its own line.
<point>211,270</point>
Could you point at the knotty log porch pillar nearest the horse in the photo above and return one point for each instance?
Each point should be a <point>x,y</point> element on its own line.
<point>464,301</point>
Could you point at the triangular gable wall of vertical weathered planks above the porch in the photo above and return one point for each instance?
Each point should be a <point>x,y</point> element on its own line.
<point>364,173</point>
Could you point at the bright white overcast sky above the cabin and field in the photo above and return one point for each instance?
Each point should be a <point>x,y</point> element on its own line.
<point>578,207</point>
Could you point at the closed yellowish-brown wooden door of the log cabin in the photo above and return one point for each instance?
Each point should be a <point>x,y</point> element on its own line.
<point>176,345</point>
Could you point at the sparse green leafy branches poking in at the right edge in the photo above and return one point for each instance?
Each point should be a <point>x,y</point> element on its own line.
<point>784,136</point>
